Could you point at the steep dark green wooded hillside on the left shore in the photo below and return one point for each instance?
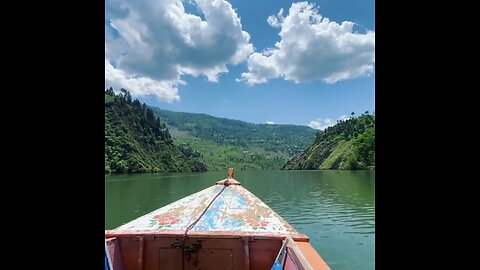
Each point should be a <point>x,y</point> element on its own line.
<point>136,141</point>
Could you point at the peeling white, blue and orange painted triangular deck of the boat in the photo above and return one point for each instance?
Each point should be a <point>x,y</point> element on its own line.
<point>235,210</point>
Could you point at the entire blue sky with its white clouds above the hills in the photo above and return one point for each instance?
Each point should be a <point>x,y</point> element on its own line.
<point>310,65</point>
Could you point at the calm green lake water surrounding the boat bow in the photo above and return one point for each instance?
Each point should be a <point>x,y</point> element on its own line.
<point>336,209</point>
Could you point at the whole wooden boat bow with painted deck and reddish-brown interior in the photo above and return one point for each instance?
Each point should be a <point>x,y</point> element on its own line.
<point>222,227</point>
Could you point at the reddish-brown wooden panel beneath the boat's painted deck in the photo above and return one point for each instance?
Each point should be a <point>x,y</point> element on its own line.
<point>202,252</point>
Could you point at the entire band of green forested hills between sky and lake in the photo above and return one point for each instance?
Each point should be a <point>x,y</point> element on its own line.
<point>139,138</point>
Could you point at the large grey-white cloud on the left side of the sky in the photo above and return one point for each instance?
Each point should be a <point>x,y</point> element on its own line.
<point>150,44</point>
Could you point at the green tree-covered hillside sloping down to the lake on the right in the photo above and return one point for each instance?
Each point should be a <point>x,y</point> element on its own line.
<point>348,145</point>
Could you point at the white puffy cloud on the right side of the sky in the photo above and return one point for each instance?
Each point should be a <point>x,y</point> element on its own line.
<point>312,48</point>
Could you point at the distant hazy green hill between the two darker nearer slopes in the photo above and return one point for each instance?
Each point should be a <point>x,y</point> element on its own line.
<point>224,143</point>
